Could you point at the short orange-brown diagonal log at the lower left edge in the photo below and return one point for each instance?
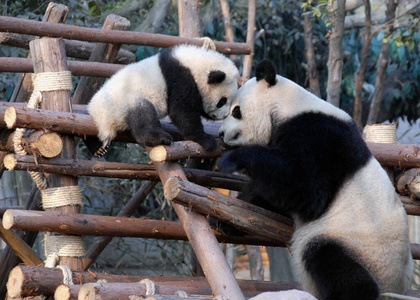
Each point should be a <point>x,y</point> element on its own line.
<point>22,250</point>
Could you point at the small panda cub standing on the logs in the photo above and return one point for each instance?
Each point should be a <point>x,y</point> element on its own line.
<point>184,82</point>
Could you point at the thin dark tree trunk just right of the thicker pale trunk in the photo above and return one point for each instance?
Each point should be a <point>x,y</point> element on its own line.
<point>360,75</point>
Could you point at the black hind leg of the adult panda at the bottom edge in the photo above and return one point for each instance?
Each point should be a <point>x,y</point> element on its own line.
<point>336,272</point>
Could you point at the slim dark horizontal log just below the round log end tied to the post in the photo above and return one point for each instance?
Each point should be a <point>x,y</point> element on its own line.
<point>118,170</point>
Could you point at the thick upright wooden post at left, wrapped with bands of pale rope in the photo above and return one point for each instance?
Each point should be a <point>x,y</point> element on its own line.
<point>49,56</point>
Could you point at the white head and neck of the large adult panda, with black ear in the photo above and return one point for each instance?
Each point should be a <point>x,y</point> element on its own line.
<point>265,102</point>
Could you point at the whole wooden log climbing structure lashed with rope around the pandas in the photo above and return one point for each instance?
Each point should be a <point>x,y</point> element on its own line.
<point>49,148</point>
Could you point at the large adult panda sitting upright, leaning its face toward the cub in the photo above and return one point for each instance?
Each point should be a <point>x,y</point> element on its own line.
<point>306,159</point>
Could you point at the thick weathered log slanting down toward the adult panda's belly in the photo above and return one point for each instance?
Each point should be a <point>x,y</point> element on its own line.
<point>244,216</point>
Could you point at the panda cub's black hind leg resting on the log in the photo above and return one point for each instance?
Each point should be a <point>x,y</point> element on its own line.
<point>145,127</point>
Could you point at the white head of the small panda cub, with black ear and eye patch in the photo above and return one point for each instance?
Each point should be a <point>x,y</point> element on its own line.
<point>216,77</point>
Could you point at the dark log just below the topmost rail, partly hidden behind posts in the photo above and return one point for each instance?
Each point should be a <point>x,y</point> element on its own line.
<point>76,49</point>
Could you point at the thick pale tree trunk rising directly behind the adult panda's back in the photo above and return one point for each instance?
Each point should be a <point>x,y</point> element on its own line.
<point>335,56</point>
